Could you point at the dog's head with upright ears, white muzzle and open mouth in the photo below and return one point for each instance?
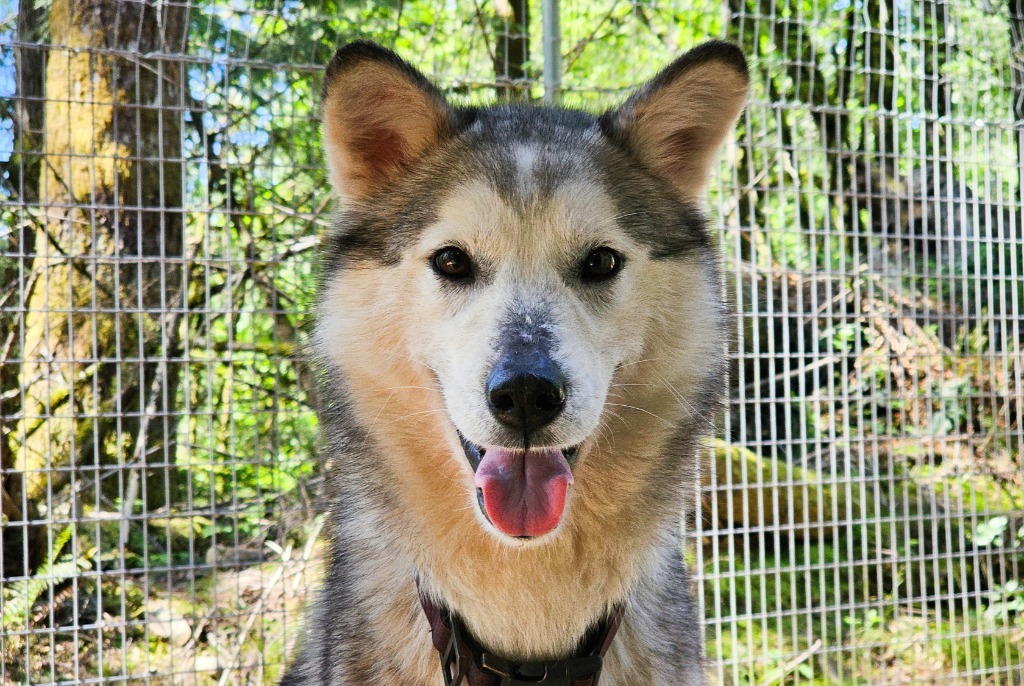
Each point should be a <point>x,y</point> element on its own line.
<point>535,285</point>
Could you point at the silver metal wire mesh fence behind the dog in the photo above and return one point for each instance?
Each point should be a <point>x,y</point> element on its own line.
<point>862,516</point>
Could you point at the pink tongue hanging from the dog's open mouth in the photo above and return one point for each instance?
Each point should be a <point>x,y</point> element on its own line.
<point>524,493</point>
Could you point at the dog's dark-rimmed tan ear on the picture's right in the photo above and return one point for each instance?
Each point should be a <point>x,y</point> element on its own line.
<point>677,121</point>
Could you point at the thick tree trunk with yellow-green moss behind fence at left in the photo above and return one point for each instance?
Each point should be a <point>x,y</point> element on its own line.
<point>107,265</point>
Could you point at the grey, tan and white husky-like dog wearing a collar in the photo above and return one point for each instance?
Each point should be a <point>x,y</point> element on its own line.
<point>521,335</point>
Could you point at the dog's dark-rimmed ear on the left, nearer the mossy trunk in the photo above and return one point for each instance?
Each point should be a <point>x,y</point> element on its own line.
<point>380,115</point>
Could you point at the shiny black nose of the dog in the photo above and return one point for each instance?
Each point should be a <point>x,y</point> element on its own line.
<point>527,398</point>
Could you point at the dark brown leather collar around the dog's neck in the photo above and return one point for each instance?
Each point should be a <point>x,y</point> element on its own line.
<point>464,663</point>
